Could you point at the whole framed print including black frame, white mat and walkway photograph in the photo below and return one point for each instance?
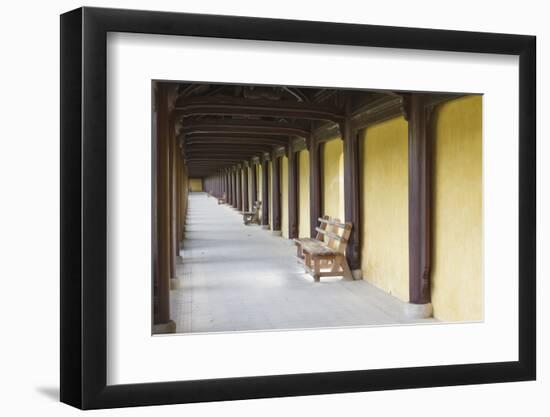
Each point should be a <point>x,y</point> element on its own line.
<point>258,208</point>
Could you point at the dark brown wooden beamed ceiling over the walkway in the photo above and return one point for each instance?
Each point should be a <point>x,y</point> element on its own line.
<point>222,125</point>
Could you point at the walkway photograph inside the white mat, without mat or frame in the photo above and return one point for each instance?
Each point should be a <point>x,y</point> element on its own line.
<point>281,207</point>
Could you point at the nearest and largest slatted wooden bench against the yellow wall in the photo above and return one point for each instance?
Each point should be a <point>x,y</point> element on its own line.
<point>327,257</point>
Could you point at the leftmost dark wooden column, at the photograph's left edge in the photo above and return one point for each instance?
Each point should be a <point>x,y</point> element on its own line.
<point>161,234</point>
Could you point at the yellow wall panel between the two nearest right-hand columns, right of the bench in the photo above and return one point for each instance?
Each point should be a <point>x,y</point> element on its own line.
<point>385,249</point>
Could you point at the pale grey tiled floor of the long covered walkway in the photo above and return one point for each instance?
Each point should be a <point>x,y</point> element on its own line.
<point>239,278</point>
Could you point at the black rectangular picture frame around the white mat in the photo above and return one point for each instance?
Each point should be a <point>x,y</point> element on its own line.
<point>84,207</point>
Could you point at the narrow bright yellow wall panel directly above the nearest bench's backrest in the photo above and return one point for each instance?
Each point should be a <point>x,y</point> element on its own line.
<point>333,179</point>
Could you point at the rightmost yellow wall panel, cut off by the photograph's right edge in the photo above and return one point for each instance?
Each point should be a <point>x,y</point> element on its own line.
<point>457,284</point>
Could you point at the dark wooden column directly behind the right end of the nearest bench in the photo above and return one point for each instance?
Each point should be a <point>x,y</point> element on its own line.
<point>352,192</point>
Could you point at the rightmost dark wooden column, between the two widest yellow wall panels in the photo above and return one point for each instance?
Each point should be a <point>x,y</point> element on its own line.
<point>419,199</point>
